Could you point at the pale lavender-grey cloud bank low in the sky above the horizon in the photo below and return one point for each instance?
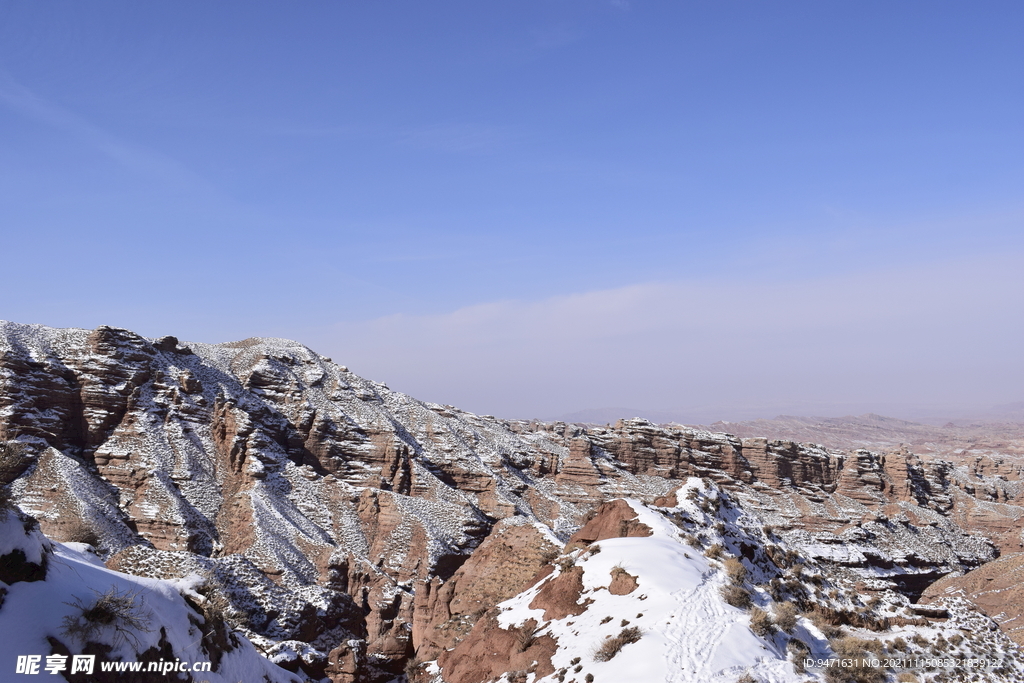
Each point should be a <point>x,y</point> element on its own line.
<point>945,335</point>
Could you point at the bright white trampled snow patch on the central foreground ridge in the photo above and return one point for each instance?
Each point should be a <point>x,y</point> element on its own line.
<point>690,633</point>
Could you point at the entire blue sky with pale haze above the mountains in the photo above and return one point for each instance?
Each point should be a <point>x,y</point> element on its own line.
<point>435,193</point>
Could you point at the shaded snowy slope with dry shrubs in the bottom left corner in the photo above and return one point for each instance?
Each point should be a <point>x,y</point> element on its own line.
<point>74,606</point>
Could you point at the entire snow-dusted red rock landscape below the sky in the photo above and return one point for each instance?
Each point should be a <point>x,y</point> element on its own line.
<point>252,511</point>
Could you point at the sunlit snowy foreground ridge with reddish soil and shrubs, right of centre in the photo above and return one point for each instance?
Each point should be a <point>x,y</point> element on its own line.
<point>652,609</point>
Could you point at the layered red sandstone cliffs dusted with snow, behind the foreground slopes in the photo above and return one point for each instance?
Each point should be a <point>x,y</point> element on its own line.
<point>332,510</point>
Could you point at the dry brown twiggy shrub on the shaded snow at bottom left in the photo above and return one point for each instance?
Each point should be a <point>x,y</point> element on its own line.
<point>122,614</point>
